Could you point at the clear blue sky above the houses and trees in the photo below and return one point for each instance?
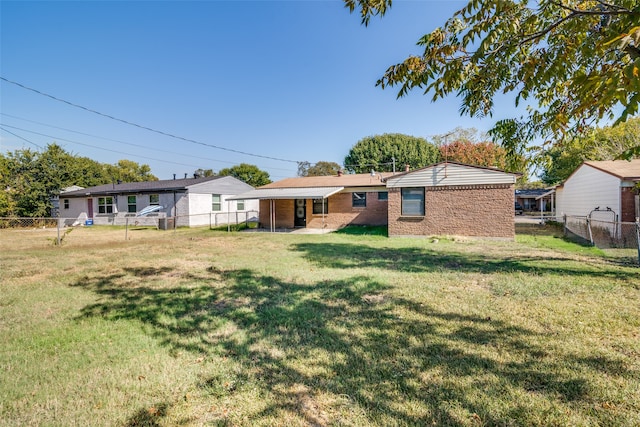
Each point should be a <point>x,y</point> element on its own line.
<point>284,81</point>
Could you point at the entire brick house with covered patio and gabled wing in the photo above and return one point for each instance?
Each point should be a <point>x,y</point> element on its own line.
<point>442,199</point>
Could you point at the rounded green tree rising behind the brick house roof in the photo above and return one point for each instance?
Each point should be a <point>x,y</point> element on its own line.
<point>381,152</point>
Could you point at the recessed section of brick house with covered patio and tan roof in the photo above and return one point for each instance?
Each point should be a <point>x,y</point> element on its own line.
<point>323,201</point>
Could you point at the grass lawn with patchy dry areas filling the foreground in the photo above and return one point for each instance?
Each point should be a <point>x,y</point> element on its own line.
<point>201,327</point>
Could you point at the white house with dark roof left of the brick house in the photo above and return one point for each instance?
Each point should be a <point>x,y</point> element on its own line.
<point>191,201</point>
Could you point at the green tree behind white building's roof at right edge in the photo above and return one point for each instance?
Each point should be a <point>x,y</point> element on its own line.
<point>607,143</point>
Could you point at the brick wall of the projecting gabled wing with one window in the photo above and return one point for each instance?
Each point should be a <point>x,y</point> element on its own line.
<point>481,211</point>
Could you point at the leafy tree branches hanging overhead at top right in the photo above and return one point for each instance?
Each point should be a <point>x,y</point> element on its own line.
<point>572,63</point>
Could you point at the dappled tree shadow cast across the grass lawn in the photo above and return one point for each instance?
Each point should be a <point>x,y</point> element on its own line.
<point>300,343</point>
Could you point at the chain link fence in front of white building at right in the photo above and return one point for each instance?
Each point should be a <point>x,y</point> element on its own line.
<point>604,234</point>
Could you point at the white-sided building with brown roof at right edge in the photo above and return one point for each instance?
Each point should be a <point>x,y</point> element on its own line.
<point>604,190</point>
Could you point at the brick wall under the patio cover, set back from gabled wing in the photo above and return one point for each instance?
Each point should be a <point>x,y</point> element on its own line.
<point>341,213</point>
